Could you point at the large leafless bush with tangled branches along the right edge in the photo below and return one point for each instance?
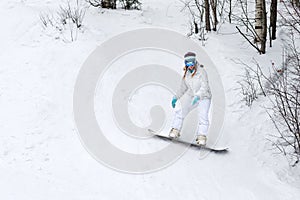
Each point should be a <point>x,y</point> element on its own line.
<point>286,107</point>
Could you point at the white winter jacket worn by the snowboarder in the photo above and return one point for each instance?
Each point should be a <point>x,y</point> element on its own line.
<point>195,86</point>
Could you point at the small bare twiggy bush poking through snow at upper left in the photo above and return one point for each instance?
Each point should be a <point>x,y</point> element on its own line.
<point>66,21</point>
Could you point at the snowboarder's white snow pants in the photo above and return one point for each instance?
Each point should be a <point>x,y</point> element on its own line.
<point>186,106</point>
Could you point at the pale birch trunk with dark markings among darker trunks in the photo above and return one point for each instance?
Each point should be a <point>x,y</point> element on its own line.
<point>261,24</point>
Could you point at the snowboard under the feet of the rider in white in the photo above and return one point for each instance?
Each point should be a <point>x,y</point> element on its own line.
<point>192,144</point>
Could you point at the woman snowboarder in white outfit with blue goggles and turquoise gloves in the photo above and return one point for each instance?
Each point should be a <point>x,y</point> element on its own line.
<point>195,85</point>
